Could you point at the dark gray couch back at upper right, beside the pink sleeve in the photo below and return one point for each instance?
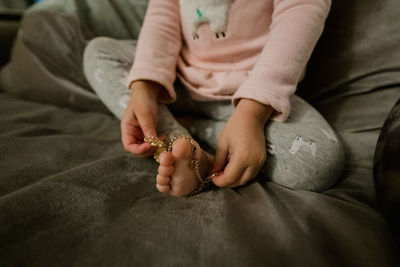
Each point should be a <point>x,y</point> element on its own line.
<point>358,52</point>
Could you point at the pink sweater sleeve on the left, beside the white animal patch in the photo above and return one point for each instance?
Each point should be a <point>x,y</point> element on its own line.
<point>159,46</point>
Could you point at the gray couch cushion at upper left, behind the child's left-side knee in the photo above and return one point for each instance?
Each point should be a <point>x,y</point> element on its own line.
<point>48,51</point>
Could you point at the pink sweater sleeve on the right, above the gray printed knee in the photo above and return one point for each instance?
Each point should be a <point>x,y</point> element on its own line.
<point>295,29</point>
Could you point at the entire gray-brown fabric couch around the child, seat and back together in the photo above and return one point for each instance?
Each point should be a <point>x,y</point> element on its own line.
<point>70,195</point>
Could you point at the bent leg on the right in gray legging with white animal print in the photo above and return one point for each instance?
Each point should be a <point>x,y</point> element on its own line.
<point>305,153</point>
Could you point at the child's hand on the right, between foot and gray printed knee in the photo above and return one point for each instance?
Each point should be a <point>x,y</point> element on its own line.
<point>241,147</point>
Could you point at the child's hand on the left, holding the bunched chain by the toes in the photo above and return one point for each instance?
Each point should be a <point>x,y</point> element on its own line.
<point>140,117</point>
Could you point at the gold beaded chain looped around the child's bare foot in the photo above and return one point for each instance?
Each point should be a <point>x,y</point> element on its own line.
<point>162,146</point>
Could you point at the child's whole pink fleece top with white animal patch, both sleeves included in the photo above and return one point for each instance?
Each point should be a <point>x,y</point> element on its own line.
<point>229,49</point>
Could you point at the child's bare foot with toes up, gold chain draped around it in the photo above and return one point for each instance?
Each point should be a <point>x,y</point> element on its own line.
<point>175,175</point>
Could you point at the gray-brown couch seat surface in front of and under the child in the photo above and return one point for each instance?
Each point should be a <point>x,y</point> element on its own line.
<point>70,196</point>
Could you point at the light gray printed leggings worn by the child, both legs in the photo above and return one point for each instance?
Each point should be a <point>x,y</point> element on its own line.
<point>303,152</point>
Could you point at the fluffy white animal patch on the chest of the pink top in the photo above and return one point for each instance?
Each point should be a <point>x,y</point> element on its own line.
<point>214,12</point>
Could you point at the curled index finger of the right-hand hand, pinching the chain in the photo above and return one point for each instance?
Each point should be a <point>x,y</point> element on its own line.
<point>232,173</point>
